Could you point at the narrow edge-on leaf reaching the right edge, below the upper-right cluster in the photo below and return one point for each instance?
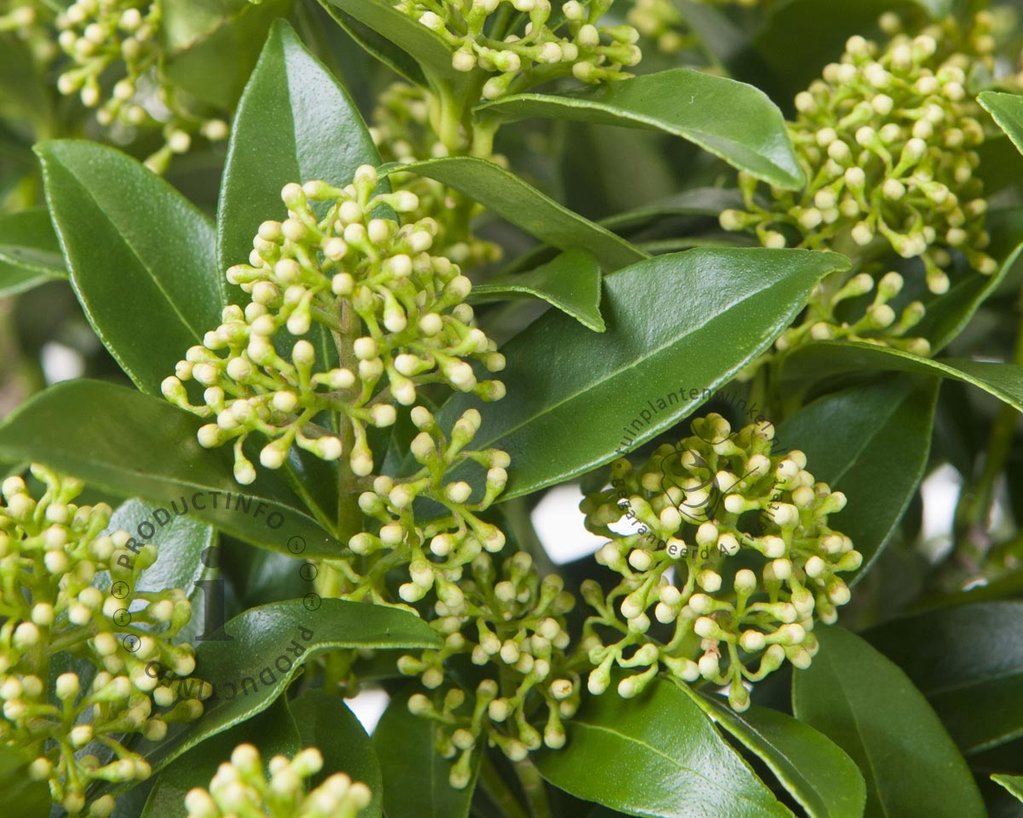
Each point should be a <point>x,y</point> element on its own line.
<point>819,360</point>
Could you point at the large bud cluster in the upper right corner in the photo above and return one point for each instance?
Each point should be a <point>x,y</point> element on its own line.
<point>888,140</point>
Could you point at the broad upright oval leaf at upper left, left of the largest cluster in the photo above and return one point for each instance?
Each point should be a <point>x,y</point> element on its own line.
<point>141,256</point>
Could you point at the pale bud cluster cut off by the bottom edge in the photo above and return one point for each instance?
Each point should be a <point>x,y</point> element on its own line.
<point>241,788</point>
